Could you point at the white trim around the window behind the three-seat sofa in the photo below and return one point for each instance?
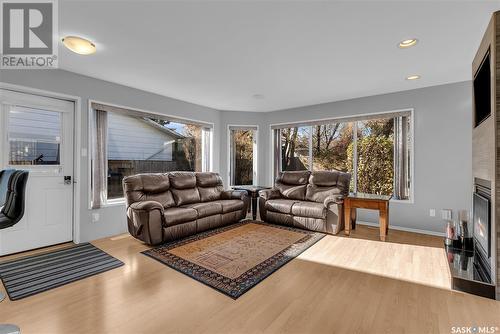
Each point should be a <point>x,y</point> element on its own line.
<point>119,201</point>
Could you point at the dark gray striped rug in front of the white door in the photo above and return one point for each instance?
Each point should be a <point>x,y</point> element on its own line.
<point>30,275</point>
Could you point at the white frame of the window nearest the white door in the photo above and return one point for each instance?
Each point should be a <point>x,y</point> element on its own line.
<point>89,152</point>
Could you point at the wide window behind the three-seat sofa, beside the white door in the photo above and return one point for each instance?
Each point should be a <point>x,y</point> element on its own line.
<point>137,143</point>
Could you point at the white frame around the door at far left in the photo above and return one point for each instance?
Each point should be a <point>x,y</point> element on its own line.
<point>77,134</point>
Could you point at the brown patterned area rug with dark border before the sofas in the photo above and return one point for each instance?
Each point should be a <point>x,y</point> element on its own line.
<point>235,258</point>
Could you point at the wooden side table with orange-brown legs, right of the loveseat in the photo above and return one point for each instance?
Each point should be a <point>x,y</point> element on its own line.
<point>367,201</point>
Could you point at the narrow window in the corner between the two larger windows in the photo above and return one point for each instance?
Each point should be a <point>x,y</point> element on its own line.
<point>243,150</point>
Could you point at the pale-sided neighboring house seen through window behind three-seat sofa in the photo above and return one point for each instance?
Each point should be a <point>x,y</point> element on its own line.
<point>136,138</point>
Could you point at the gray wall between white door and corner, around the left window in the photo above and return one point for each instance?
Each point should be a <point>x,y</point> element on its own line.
<point>112,219</point>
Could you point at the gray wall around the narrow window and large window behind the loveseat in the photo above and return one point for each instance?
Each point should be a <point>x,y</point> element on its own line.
<point>443,146</point>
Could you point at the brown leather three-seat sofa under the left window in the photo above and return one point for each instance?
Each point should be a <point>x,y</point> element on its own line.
<point>165,207</point>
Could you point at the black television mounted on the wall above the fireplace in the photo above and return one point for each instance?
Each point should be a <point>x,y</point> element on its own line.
<point>482,91</point>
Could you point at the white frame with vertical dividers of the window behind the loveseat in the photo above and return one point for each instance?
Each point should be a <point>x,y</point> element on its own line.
<point>343,119</point>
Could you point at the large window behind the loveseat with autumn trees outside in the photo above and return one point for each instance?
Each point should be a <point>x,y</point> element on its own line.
<point>374,149</point>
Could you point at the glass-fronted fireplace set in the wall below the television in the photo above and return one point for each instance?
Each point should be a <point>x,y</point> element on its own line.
<point>482,229</point>
